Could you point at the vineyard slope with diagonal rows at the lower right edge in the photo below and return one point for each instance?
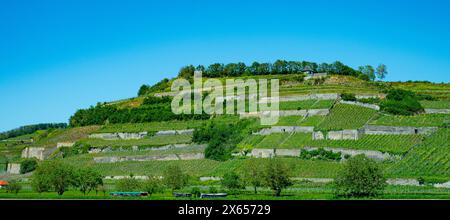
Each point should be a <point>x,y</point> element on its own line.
<point>430,159</point>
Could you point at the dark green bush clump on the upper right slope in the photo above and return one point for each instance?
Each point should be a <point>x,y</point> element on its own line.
<point>401,102</point>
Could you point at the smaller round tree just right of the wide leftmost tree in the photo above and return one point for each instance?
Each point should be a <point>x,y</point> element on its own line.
<point>87,179</point>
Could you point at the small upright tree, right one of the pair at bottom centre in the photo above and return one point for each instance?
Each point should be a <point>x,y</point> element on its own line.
<point>277,176</point>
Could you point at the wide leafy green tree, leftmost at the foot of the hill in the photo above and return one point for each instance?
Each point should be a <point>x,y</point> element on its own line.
<point>54,175</point>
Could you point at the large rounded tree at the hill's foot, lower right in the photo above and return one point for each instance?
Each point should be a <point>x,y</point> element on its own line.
<point>360,177</point>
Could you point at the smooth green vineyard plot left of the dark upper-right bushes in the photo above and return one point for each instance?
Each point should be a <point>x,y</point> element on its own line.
<point>344,116</point>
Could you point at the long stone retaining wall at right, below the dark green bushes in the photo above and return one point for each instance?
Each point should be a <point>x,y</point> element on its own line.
<point>400,130</point>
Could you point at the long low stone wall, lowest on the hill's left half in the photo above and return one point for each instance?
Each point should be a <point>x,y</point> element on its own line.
<point>167,157</point>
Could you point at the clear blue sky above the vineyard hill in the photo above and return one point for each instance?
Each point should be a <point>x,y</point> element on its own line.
<point>58,56</point>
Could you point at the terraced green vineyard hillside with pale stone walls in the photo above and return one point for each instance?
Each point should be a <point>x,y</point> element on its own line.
<point>140,136</point>
